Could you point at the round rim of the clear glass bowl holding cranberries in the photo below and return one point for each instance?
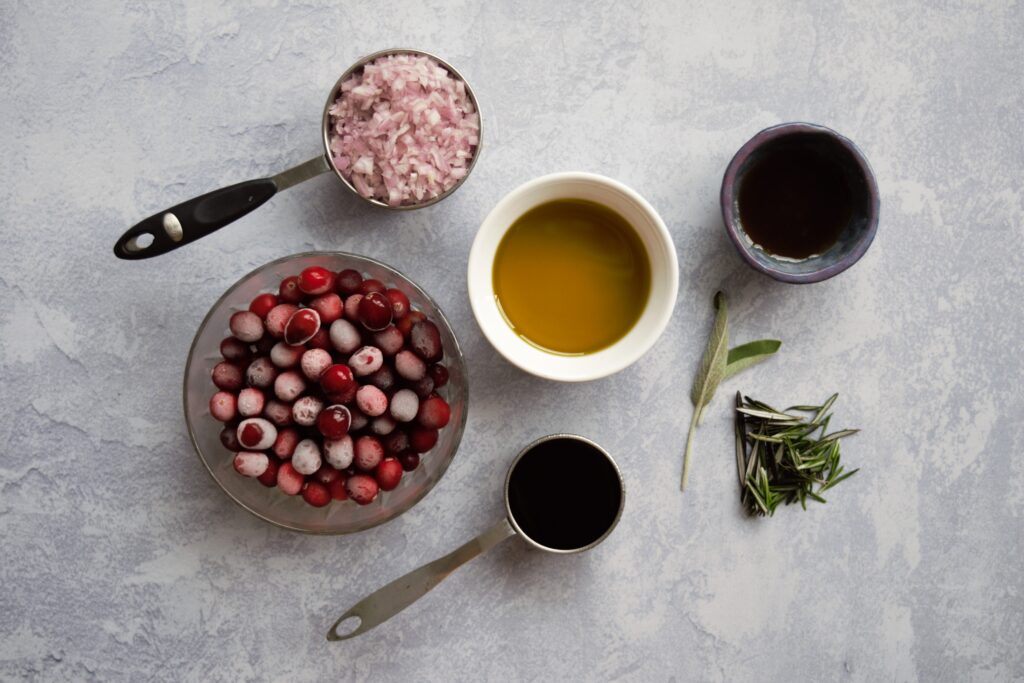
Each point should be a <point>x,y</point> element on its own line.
<point>459,429</point>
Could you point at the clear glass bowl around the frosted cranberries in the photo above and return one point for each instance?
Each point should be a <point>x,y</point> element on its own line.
<point>269,503</point>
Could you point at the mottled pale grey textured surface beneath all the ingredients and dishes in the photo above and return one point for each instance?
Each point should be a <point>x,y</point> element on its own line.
<point>121,560</point>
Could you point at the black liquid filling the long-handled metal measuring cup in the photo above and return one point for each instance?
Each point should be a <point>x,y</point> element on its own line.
<point>565,494</point>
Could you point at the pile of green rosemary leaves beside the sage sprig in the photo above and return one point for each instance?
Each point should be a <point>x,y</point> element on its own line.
<point>791,458</point>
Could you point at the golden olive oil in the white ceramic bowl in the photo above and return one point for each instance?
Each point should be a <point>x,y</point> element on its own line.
<point>572,277</point>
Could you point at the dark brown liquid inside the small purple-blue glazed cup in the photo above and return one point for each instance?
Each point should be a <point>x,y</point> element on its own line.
<point>795,202</point>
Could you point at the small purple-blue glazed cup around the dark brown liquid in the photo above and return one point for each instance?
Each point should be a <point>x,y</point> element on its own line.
<point>854,241</point>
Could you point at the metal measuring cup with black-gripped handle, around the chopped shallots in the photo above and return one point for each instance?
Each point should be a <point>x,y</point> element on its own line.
<point>202,216</point>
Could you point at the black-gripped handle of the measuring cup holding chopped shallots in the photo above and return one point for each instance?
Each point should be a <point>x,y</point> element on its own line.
<point>202,216</point>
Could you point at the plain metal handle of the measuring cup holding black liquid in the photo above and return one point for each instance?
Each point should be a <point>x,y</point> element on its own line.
<point>389,602</point>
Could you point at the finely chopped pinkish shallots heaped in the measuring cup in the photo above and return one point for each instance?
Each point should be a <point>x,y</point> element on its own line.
<point>404,131</point>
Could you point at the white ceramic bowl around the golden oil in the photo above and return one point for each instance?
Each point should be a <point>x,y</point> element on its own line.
<point>664,272</point>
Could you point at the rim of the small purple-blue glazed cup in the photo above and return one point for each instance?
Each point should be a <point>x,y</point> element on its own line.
<point>732,220</point>
